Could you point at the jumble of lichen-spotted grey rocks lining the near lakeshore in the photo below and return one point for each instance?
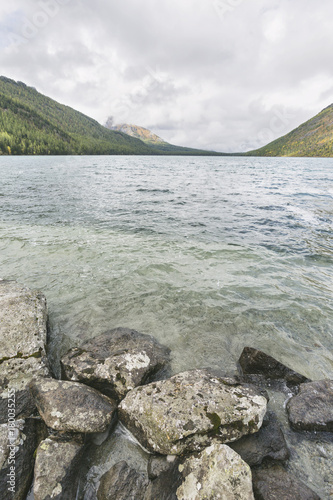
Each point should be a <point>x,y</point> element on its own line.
<point>209,434</point>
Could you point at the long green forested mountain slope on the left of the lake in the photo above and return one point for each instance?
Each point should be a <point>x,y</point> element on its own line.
<point>33,124</point>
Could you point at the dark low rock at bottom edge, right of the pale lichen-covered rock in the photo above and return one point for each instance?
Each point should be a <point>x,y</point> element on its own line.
<point>276,483</point>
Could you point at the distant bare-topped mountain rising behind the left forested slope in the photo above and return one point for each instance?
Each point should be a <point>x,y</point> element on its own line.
<point>154,141</point>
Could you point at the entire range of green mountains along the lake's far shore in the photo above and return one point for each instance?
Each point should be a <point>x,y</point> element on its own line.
<point>31,123</point>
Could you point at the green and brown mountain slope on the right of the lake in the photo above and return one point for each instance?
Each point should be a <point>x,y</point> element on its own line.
<point>312,138</point>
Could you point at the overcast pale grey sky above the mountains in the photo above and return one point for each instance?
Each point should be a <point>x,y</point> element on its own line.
<point>223,75</point>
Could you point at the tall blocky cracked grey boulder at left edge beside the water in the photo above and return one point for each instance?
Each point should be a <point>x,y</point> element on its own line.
<point>23,320</point>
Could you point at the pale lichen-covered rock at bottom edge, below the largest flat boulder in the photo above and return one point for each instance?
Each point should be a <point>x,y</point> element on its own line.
<point>216,472</point>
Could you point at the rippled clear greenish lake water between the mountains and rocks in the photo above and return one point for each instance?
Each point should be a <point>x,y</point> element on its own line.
<point>206,254</point>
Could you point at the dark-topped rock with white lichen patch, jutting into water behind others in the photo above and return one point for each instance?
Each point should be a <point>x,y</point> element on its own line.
<point>116,361</point>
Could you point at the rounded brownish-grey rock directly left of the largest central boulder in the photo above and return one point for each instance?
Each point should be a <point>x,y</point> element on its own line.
<point>72,407</point>
